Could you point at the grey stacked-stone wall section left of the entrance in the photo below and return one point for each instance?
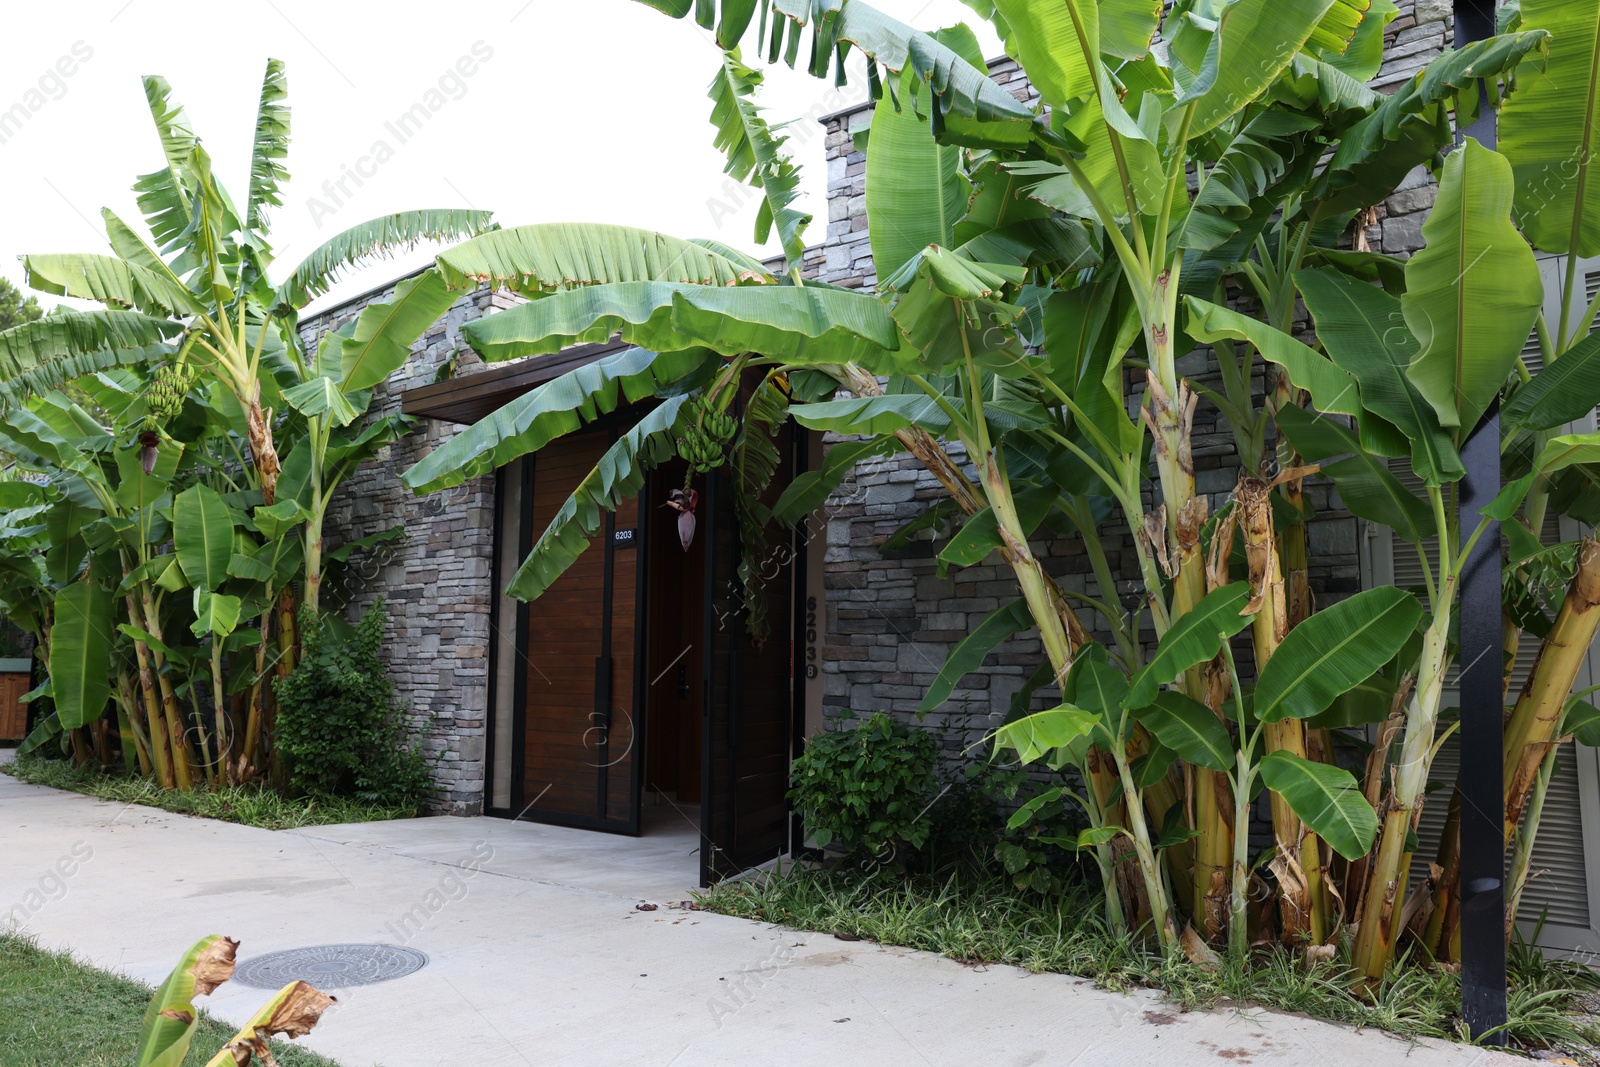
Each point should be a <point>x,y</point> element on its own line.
<point>436,580</point>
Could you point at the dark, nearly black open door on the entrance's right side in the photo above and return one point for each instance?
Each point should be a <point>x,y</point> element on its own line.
<point>751,689</point>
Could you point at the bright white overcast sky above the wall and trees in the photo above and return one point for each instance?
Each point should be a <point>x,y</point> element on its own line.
<point>586,111</point>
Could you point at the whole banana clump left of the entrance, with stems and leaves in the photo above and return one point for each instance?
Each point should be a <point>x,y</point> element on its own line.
<point>193,382</point>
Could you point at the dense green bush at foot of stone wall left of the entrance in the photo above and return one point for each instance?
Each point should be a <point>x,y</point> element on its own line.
<point>340,727</point>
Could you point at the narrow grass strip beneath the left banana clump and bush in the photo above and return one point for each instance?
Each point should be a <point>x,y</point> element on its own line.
<point>252,805</point>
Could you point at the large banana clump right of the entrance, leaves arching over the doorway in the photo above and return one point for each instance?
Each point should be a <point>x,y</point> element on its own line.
<point>1030,265</point>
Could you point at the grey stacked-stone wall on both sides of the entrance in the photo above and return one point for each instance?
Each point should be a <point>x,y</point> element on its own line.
<point>892,618</point>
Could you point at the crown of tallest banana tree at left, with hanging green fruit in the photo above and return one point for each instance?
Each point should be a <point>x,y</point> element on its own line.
<point>201,282</point>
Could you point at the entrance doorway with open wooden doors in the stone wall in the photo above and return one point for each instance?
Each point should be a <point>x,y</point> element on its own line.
<point>639,695</point>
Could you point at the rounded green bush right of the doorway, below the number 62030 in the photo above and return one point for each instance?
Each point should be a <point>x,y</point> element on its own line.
<point>866,788</point>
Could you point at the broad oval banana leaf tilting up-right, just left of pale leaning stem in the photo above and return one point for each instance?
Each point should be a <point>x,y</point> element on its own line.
<point>1335,650</point>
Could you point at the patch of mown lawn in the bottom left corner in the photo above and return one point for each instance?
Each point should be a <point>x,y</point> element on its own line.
<point>58,1012</point>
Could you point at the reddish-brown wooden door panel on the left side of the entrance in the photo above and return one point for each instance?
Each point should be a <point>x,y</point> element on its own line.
<point>583,636</point>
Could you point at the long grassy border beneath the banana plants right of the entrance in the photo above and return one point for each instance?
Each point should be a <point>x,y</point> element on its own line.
<point>978,919</point>
